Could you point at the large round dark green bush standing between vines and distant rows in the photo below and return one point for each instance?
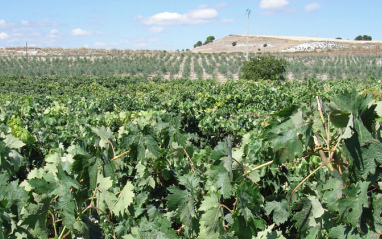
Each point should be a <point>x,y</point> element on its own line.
<point>264,67</point>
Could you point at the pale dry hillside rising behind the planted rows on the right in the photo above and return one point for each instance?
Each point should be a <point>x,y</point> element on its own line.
<point>288,44</point>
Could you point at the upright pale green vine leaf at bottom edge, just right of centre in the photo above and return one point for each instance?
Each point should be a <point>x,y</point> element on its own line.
<point>211,222</point>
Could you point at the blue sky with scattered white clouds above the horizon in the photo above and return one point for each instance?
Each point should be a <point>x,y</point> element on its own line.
<point>176,24</point>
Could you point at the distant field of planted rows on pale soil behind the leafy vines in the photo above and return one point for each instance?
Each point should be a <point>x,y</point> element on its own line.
<point>190,65</point>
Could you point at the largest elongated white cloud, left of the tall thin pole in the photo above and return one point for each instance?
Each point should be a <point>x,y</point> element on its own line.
<point>201,15</point>
